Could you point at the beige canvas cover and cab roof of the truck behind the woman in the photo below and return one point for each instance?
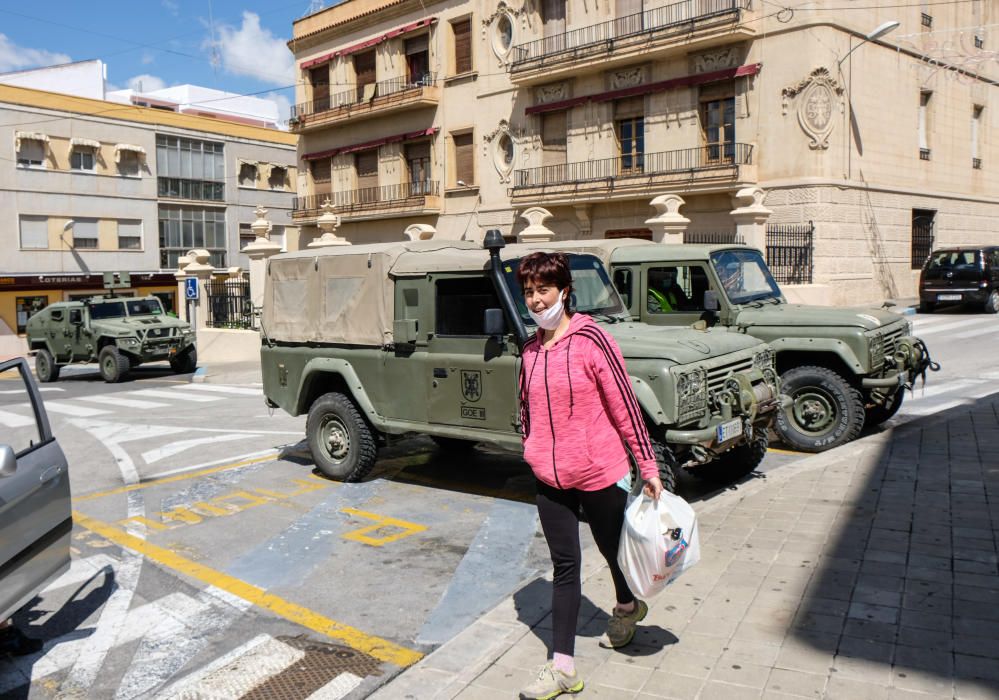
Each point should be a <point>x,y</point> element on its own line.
<point>344,294</point>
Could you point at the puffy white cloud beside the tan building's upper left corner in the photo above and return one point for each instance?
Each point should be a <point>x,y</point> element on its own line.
<point>254,52</point>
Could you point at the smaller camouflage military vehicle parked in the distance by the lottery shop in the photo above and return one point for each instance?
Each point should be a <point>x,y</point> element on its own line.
<point>118,333</point>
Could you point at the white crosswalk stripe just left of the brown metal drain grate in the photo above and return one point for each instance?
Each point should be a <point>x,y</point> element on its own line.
<point>242,674</point>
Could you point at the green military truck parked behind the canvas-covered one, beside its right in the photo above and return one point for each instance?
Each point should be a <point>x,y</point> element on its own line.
<point>842,368</point>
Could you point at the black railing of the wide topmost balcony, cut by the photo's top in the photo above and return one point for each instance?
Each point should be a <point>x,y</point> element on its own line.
<point>676,18</point>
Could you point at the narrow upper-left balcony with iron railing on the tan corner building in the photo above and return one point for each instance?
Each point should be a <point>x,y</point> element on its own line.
<point>374,99</point>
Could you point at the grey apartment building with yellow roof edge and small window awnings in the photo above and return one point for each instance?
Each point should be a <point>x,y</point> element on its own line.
<point>89,186</point>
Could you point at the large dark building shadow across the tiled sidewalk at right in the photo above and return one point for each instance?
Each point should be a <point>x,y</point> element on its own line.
<point>907,591</point>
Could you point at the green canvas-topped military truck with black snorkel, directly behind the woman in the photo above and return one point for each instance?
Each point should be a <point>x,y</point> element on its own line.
<point>378,341</point>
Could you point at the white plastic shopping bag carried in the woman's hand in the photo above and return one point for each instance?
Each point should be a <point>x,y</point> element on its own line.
<point>659,541</point>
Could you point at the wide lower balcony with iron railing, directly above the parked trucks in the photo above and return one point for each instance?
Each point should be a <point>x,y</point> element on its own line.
<point>715,166</point>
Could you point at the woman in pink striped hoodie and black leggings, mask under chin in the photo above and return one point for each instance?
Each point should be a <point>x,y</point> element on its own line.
<point>580,420</point>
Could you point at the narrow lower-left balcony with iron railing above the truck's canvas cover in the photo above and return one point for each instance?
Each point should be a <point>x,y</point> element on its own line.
<point>403,199</point>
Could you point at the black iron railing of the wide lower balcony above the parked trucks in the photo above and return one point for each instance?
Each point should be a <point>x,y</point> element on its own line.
<point>687,160</point>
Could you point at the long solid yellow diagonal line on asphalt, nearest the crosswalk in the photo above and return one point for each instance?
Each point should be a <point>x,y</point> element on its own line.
<point>380,649</point>
